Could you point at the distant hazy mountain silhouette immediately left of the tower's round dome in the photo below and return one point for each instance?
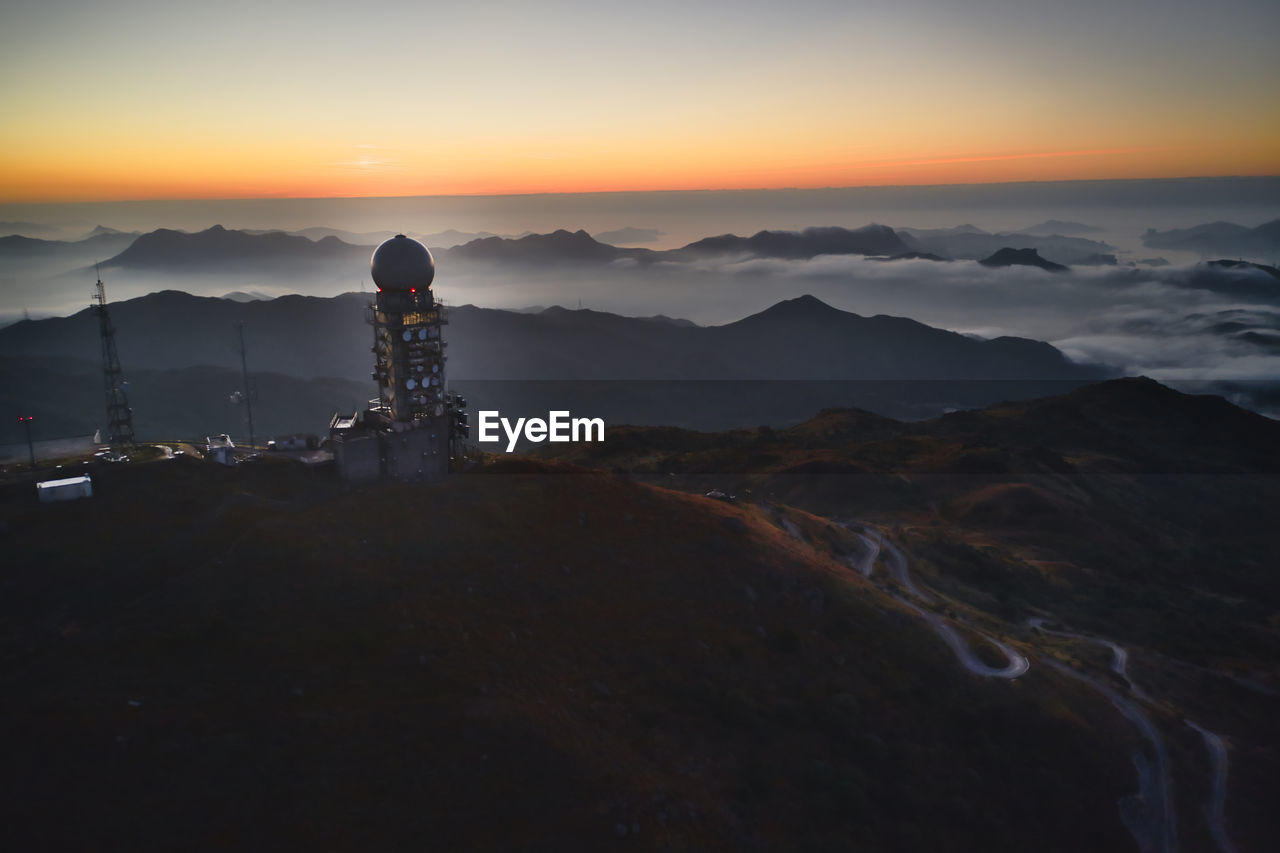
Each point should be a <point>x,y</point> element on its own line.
<point>220,248</point>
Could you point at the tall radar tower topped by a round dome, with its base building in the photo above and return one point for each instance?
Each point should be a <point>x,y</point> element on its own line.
<point>408,432</point>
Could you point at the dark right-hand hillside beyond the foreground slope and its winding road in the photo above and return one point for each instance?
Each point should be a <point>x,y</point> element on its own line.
<point>1130,516</point>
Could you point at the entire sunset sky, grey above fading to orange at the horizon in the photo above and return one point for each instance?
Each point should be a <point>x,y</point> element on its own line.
<point>148,99</point>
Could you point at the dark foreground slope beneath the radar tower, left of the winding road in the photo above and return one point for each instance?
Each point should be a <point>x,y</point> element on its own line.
<point>253,658</point>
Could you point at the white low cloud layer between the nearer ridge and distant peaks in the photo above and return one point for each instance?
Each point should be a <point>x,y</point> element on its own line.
<point>1177,323</point>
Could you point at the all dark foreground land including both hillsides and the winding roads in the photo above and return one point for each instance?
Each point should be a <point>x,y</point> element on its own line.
<point>541,656</point>
